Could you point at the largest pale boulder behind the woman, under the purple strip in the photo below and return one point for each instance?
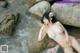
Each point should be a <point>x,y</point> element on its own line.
<point>67,13</point>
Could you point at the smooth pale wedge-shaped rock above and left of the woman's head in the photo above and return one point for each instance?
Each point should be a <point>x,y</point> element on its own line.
<point>40,8</point>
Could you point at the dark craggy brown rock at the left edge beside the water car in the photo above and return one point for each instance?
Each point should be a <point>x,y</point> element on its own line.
<point>7,23</point>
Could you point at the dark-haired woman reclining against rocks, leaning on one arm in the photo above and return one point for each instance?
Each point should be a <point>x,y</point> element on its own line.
<point>58,33</point>
